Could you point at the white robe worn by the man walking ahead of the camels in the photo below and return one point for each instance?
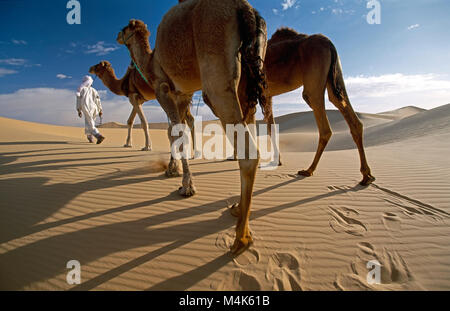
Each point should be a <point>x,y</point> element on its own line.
<point>88,102</point>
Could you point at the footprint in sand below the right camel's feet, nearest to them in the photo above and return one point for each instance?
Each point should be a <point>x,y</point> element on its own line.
<point>343,220</point>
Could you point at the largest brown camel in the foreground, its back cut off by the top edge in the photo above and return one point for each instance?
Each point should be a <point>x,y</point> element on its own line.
<point>204,45</point>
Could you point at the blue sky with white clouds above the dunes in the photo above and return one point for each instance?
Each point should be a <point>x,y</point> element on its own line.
<point>403,61</point>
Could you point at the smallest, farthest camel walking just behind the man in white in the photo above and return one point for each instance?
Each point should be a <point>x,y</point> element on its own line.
<point>138,91</point>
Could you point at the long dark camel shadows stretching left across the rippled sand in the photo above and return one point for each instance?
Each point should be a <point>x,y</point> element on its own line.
<point>46,258</point>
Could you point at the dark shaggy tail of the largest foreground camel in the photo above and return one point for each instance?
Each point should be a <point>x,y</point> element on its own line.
<point>253,31</point>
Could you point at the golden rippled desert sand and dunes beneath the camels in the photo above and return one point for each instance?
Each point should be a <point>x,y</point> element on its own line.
<point>114,211</point>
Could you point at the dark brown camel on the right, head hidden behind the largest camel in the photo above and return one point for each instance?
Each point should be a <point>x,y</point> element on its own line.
<point>294,60</point>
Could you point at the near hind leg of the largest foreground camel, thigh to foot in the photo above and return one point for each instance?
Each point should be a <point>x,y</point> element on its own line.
<point>219,59</point>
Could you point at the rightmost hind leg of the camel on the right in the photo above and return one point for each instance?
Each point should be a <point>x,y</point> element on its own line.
<point>356,129</point>
